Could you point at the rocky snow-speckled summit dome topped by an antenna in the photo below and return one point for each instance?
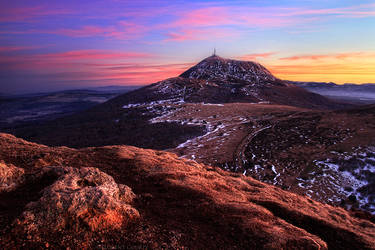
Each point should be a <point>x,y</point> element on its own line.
<point>215,68</point>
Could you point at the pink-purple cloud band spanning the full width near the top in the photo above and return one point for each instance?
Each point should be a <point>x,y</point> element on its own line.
<point>182,24</point>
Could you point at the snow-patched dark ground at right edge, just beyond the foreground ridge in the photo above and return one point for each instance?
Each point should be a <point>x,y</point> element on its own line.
<point>347,176</point>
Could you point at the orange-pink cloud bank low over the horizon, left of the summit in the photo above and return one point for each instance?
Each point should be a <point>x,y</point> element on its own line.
<point>90,65</point>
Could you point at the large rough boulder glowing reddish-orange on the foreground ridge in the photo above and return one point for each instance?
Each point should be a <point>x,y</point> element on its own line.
<point>79,198</point>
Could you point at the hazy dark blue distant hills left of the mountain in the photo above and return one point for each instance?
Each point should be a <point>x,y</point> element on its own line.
<point>15,109</point>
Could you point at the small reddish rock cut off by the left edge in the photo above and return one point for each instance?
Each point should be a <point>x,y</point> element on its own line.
<point>10,177</point>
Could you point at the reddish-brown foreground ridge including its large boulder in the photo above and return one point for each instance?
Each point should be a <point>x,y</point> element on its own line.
<point>180,204</point>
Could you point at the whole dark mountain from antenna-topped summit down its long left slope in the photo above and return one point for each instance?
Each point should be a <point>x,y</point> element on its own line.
<point>126,118</point>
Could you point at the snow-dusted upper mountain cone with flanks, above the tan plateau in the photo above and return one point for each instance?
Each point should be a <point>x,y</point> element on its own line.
<point>219,80</point>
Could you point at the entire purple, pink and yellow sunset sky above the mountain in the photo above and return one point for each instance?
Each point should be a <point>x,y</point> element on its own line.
<point>54,45</point>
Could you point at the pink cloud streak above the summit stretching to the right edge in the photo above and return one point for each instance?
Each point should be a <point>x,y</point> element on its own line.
<point>263,17</point>
